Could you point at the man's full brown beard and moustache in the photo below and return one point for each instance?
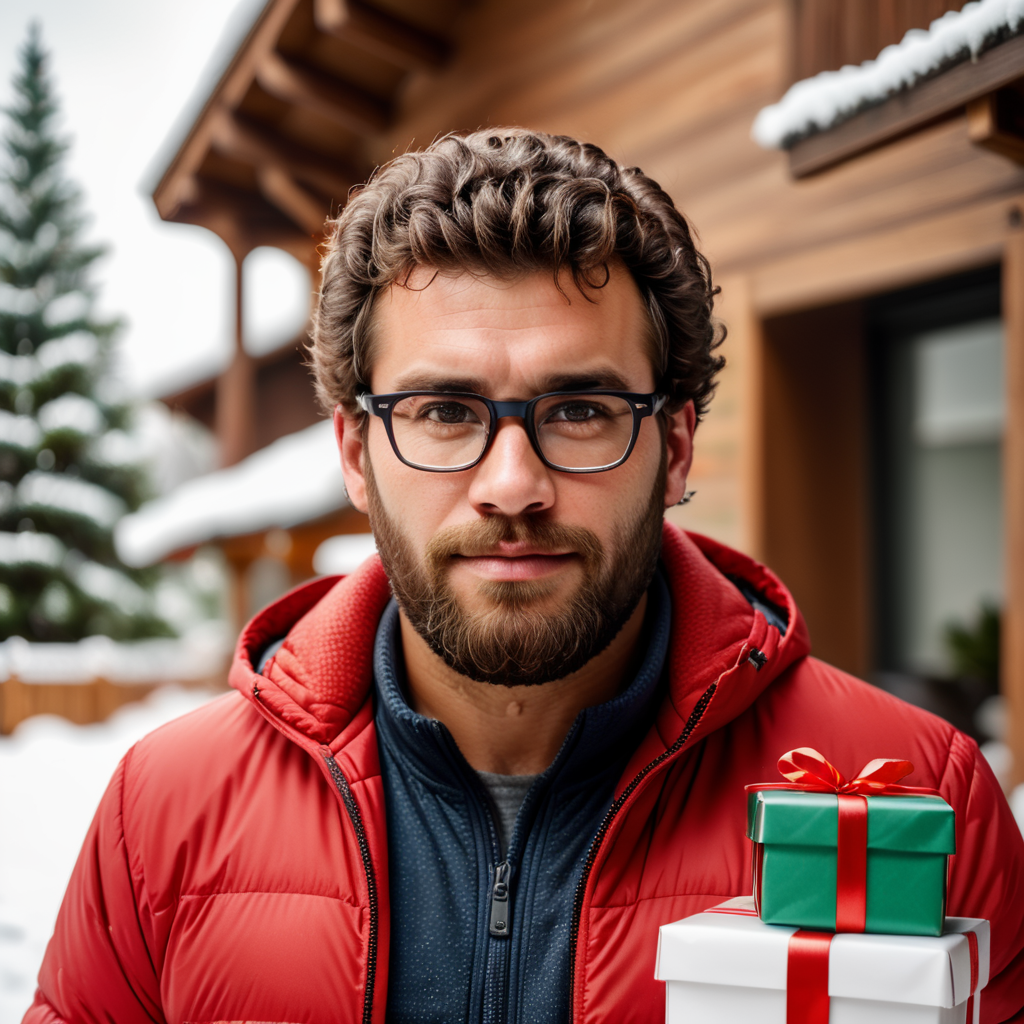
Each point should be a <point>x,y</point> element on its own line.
<point>509,642</point>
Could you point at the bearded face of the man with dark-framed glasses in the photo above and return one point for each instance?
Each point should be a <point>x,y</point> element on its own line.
<point>513,572</point>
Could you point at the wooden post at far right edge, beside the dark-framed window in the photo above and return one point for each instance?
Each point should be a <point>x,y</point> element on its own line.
<point>1013,463</point>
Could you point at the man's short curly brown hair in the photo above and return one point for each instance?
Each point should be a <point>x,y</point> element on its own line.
<point>507,202</point>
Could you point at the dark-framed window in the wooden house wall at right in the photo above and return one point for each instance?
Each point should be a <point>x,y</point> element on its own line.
<point>937,392</point>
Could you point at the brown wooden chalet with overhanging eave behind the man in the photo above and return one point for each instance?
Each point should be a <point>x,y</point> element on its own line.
<point>844,264</point>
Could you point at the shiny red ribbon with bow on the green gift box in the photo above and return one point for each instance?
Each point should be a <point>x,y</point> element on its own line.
<point>805,769</point>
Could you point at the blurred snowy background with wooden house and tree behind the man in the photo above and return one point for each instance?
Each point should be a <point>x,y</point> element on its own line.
<point>854,169</point>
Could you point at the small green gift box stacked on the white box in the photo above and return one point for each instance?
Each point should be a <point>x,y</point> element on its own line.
<point>796,860</point>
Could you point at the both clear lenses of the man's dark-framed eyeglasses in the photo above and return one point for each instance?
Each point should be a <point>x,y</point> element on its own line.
<point>578,432</point>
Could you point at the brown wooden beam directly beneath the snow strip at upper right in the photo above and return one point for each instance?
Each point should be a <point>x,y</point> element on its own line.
<point>932,101</point>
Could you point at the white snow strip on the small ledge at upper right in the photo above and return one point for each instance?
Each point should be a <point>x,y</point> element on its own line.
<point>828,100</point>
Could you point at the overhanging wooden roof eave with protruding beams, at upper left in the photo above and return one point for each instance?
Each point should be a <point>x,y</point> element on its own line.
<point>284,176</point>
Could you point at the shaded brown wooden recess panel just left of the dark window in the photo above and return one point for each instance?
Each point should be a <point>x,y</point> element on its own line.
<point>815,442</point>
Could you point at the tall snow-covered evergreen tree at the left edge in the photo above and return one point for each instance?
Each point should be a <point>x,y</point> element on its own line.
<point>66,468</point>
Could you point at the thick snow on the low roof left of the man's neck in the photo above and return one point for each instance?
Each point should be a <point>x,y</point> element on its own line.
<point>293,481</point>
